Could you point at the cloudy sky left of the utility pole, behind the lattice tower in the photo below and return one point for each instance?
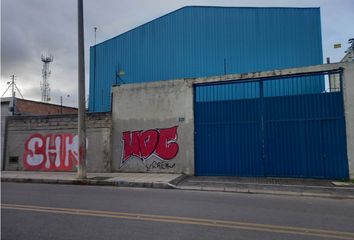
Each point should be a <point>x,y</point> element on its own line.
<point>42,26</point>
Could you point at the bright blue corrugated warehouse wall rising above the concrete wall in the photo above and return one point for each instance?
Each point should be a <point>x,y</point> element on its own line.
<point>206,41</point>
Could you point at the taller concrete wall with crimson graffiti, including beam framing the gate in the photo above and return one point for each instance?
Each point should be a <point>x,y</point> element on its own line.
<point>138,109</point>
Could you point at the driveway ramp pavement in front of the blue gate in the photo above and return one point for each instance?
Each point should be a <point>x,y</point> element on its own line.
<point>277,186</point>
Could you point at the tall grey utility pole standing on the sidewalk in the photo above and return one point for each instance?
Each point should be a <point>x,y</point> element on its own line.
<point>81,170</point>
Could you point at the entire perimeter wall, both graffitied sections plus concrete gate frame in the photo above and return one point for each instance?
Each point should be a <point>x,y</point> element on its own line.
<point>151,128</point>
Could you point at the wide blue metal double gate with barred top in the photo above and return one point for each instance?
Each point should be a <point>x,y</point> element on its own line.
<point>286,127</point>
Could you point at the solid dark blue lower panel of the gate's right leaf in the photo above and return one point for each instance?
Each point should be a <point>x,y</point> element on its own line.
<point>305,136</point>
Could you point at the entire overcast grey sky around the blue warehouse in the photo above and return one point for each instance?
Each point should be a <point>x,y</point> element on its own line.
<point>32,27</point>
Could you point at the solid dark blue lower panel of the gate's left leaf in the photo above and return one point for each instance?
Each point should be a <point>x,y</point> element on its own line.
<point>227,138</point>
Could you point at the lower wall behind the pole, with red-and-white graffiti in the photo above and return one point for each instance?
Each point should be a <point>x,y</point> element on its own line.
<point>49,143</point>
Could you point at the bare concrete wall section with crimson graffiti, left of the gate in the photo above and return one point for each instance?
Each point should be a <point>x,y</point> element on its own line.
<point>153,127</point>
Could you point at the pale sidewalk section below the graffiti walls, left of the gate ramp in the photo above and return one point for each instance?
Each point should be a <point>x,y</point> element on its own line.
<point>150,180</point>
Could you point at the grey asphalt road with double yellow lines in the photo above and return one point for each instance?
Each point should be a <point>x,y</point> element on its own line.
<point>41,211</point>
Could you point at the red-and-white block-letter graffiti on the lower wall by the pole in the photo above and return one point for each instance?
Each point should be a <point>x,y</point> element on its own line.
<point>51,152</point>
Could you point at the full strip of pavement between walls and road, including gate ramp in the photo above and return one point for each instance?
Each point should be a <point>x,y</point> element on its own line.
<point>275,186</point>
